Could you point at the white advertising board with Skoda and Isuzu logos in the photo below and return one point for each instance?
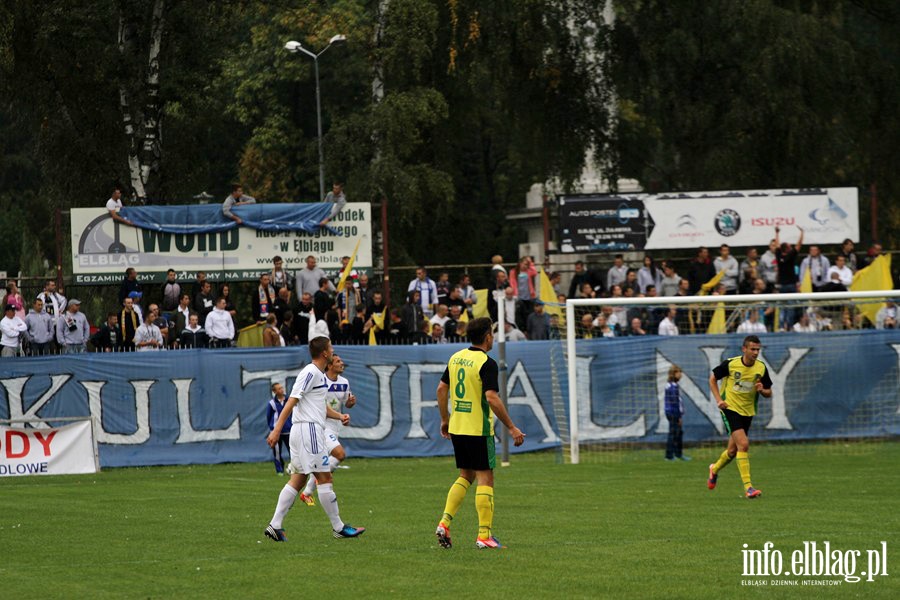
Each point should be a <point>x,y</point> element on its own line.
<point>749,218</point>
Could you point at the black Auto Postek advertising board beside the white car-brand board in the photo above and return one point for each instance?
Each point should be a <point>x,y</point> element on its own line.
<point>601,223</point>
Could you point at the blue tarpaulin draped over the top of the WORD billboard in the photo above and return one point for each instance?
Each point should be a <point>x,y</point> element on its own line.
<point>208,218</point>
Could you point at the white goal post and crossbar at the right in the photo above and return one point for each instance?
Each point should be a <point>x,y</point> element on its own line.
<point>579,409</point>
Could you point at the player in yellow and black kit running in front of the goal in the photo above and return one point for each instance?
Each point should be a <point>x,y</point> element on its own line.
<point>745,379</point>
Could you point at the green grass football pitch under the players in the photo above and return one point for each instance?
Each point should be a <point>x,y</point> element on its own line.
<point>629,525</point>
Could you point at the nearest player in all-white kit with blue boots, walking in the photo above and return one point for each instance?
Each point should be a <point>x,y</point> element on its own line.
<point>311,449</point>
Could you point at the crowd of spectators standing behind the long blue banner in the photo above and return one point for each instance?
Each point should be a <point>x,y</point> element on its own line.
<point>290,307</point>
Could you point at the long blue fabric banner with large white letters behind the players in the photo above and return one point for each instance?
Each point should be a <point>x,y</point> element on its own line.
<point>208,406</point>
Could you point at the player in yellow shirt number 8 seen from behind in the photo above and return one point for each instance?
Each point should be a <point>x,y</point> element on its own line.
<point>470,381</point>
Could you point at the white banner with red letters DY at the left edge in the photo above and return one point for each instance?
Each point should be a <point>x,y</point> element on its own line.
<point>63,450</point>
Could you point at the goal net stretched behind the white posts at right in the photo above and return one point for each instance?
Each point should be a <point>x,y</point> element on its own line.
<point>833,359</point>
